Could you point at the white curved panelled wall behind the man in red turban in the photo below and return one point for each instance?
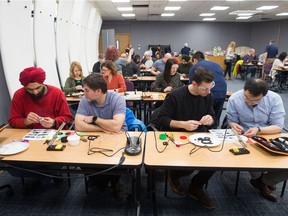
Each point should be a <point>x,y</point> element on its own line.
<point>58,33</point>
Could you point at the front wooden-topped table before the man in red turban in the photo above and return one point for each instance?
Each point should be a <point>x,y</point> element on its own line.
<point>77,155</point>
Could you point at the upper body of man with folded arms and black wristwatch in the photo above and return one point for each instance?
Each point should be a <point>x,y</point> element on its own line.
<point>99,109</point>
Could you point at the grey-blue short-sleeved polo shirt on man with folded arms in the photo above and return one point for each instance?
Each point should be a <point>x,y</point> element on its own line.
<point>114,104</point>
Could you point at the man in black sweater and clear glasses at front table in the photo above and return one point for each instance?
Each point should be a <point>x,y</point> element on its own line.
<point>190,108</point>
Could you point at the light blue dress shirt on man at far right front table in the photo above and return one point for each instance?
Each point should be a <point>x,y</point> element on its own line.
<point>269,111</point>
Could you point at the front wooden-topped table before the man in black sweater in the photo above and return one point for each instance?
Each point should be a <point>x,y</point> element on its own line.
<point>179,157</point>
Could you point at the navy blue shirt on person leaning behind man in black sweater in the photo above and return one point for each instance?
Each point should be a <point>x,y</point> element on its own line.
<point>220,89</point>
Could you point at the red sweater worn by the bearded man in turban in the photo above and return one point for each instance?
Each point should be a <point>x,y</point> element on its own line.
<point>53,104</point>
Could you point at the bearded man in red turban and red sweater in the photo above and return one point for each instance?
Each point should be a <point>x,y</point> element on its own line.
<point>37,105</point>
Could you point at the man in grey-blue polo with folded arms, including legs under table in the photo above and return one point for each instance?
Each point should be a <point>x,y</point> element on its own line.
<point>102,110</point>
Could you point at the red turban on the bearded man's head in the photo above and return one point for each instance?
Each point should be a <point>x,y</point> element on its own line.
<point>32,74</point>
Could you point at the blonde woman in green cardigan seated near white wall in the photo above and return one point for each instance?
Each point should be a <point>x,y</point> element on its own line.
<point>74,81</point>
